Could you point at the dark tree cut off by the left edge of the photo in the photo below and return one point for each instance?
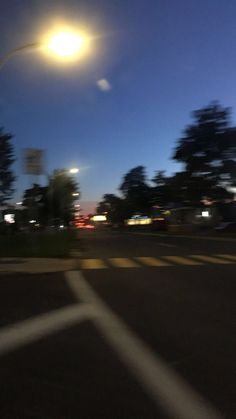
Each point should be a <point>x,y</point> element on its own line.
<point>6,160</point>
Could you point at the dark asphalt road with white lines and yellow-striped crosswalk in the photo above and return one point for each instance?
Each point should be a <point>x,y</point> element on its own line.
<point>158,301</point>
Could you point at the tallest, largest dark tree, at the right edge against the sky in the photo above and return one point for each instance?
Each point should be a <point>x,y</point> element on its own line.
<point>208,152</point>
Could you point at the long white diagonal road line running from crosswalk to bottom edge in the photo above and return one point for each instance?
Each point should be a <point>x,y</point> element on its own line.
<point>165,387</point>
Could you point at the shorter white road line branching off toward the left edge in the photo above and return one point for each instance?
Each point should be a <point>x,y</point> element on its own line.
<point>28,331</point>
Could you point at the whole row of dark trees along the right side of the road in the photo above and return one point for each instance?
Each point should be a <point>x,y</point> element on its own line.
<point>207,152</point>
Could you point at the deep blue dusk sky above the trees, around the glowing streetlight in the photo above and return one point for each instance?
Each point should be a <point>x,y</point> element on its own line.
<point>163,58</point>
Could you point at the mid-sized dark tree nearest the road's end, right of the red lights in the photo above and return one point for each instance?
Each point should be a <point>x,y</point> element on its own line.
<point>136,191</point>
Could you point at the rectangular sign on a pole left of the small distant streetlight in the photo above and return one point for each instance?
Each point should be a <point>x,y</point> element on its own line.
<point>34,161</point>
